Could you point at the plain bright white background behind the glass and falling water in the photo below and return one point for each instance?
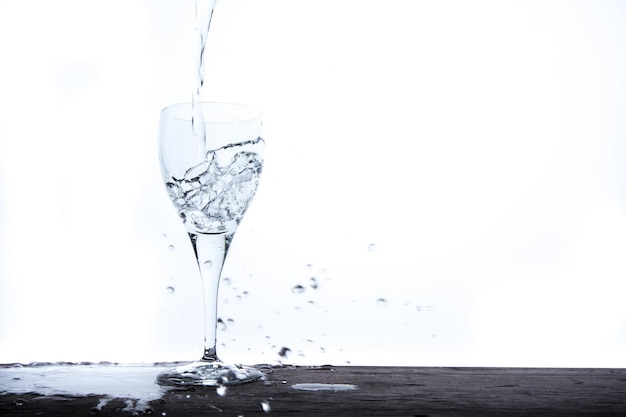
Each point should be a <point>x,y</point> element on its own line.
<point>451,173</point>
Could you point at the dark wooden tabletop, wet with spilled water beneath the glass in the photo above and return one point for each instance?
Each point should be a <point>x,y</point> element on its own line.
<point>366,391</point>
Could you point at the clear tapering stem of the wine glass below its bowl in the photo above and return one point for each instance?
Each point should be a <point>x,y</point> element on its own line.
<point>211,251</point>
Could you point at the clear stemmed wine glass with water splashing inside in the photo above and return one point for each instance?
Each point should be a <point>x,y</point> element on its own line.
<point>211,161</point>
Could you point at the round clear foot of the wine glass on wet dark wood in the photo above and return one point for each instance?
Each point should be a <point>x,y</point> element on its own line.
<point>209,374</point>
